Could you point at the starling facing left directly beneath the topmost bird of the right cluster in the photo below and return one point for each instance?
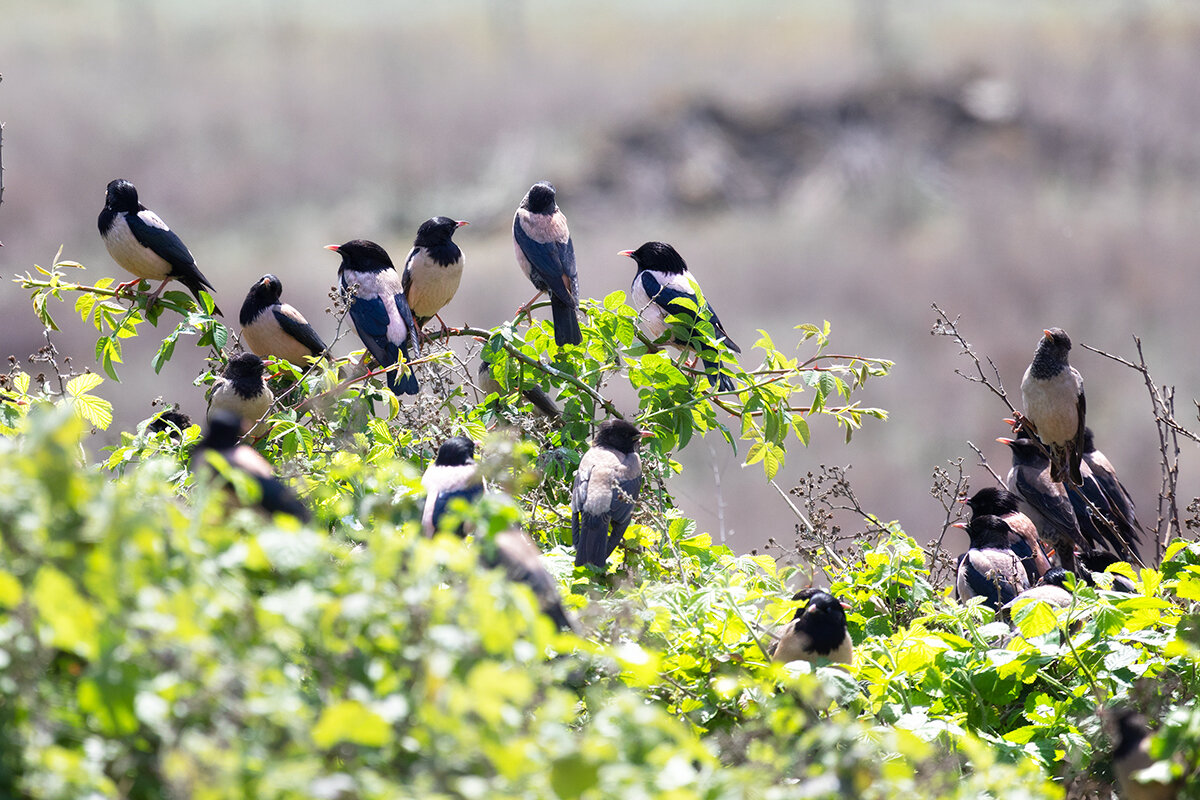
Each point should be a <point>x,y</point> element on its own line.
<point>1045,500</point>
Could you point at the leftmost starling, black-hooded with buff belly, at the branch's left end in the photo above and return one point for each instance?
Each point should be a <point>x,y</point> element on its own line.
<point>141,243</point>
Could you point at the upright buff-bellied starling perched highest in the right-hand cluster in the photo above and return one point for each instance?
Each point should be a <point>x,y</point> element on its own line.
<point>1053,394</point>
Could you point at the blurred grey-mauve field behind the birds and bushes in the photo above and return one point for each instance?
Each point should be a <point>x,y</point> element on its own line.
<point>1022,165</point>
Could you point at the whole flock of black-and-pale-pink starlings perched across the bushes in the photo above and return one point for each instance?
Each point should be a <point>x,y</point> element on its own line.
<point>1067,510</point>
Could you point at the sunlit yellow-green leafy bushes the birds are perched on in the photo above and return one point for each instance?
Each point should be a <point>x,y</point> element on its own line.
<point>159,642</point>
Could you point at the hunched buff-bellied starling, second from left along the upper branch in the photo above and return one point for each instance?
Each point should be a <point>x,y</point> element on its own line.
<point>274,329</point>
